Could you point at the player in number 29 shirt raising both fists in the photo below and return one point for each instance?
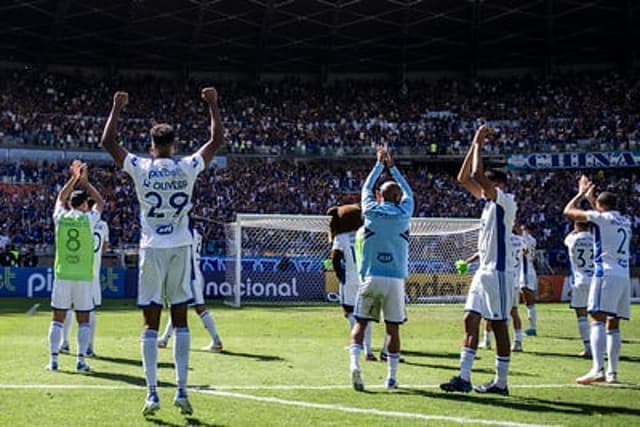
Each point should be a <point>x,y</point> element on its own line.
<point>164,185</point>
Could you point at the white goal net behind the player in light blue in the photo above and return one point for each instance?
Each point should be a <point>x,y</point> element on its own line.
<point>282,259</point>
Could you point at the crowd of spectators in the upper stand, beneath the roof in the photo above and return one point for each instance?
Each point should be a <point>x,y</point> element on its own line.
<point>596,111</point>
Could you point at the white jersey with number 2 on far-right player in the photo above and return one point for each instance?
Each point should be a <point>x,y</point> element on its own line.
<point>611,234</point>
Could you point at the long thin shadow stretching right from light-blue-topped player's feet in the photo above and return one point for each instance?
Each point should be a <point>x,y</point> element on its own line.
<point>528,404</point>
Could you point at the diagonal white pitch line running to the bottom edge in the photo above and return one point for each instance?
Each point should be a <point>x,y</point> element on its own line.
<point>371,411</point>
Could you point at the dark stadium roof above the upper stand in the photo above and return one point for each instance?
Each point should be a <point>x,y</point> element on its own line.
<point>259,36</point>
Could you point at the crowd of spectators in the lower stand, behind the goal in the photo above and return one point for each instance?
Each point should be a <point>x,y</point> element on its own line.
<point>266,186</point>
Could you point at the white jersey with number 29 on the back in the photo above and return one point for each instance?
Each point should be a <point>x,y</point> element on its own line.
<point>164,188</point>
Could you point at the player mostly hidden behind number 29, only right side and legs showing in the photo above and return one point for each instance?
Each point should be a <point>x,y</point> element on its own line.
<point>198,304</point>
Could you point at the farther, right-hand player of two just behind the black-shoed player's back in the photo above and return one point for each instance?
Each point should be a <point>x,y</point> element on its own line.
<point>529,280</point>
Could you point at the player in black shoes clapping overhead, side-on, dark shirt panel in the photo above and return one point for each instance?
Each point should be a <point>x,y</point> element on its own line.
<point>492,285</point>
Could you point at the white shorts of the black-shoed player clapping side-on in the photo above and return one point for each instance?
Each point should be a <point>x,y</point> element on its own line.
<point>490,294</point>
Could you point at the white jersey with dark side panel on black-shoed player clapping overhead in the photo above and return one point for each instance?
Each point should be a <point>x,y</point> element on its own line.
<point>494,239</point>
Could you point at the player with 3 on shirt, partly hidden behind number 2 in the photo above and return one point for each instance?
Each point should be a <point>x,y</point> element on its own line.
<point>579,243</point>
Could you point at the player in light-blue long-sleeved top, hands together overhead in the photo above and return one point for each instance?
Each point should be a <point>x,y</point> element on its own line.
<point>382,252</point>
